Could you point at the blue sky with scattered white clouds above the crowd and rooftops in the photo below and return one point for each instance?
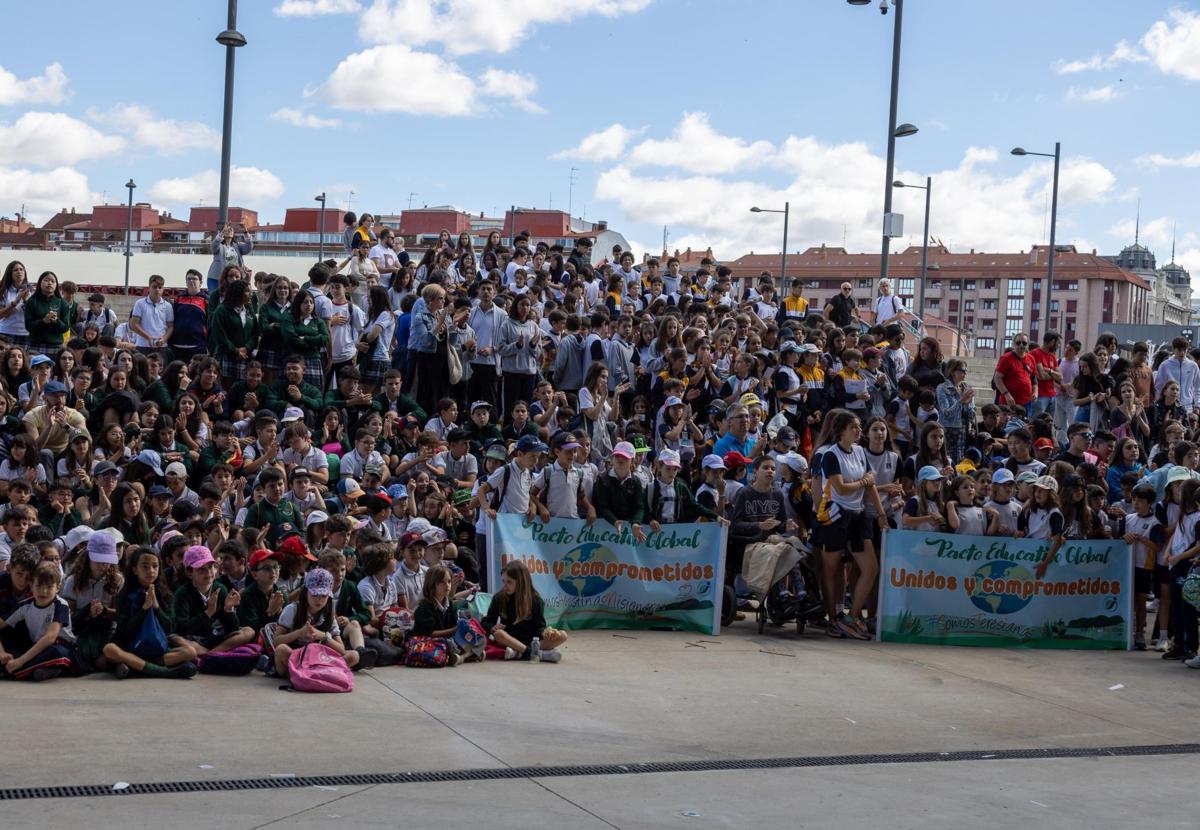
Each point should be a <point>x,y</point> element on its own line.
<point>677,113</point>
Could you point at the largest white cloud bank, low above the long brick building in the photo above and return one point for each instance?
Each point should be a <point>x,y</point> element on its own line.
<point>988,201</point>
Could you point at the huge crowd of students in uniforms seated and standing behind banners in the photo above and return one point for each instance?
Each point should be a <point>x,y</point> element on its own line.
<point>322,462</point>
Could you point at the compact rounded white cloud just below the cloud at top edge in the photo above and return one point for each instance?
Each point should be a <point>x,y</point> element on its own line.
<point>398,80</point>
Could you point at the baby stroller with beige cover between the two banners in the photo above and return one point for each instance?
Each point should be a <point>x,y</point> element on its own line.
<point>779,575</point>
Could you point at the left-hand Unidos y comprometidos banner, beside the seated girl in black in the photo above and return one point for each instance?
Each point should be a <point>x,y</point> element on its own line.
<point>593,578</point>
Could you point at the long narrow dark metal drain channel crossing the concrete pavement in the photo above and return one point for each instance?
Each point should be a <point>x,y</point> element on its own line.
<point>509,773</point>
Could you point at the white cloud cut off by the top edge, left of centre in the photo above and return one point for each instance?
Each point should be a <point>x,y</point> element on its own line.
<point>467,27</point>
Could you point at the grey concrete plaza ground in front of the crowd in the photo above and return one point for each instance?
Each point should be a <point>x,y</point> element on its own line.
<point>629,699</point>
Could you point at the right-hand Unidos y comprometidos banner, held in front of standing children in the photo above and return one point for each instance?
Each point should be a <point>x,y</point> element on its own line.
<point>947,590</point>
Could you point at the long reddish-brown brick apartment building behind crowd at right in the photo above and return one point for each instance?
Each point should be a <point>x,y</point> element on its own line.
<point>987,297</point>
